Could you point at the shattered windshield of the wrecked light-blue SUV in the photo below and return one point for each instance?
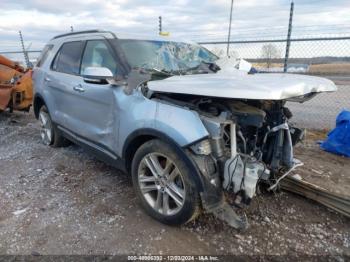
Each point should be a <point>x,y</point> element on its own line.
<point>165,55</point>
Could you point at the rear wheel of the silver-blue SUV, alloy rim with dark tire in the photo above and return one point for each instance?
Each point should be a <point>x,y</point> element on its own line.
<point>49,133</point>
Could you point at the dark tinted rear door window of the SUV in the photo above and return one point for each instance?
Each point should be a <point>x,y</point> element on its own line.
<point>68,58</point>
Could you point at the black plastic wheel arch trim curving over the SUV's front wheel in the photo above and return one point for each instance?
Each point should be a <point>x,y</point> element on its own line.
<point>139,137</point>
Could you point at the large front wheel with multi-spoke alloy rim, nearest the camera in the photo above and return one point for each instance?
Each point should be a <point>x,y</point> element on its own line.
<point>160,194</point>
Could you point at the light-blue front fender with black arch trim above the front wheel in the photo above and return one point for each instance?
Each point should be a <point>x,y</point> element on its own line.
<point>153,119</point>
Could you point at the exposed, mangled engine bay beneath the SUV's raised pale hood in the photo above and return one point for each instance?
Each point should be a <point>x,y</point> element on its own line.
<point>251,141</point>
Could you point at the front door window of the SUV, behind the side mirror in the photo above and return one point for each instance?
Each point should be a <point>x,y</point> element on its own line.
<point>97,54</point>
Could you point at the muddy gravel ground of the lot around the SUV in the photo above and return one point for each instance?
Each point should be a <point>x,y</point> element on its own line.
<point>64,201</point>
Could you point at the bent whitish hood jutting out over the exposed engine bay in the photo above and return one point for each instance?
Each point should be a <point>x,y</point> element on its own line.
<point>244,86</point>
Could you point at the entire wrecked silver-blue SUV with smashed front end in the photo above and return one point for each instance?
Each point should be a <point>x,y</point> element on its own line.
<point>189,127</point>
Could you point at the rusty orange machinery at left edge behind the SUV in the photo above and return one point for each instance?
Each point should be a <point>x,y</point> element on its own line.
<point>16,88</point>
